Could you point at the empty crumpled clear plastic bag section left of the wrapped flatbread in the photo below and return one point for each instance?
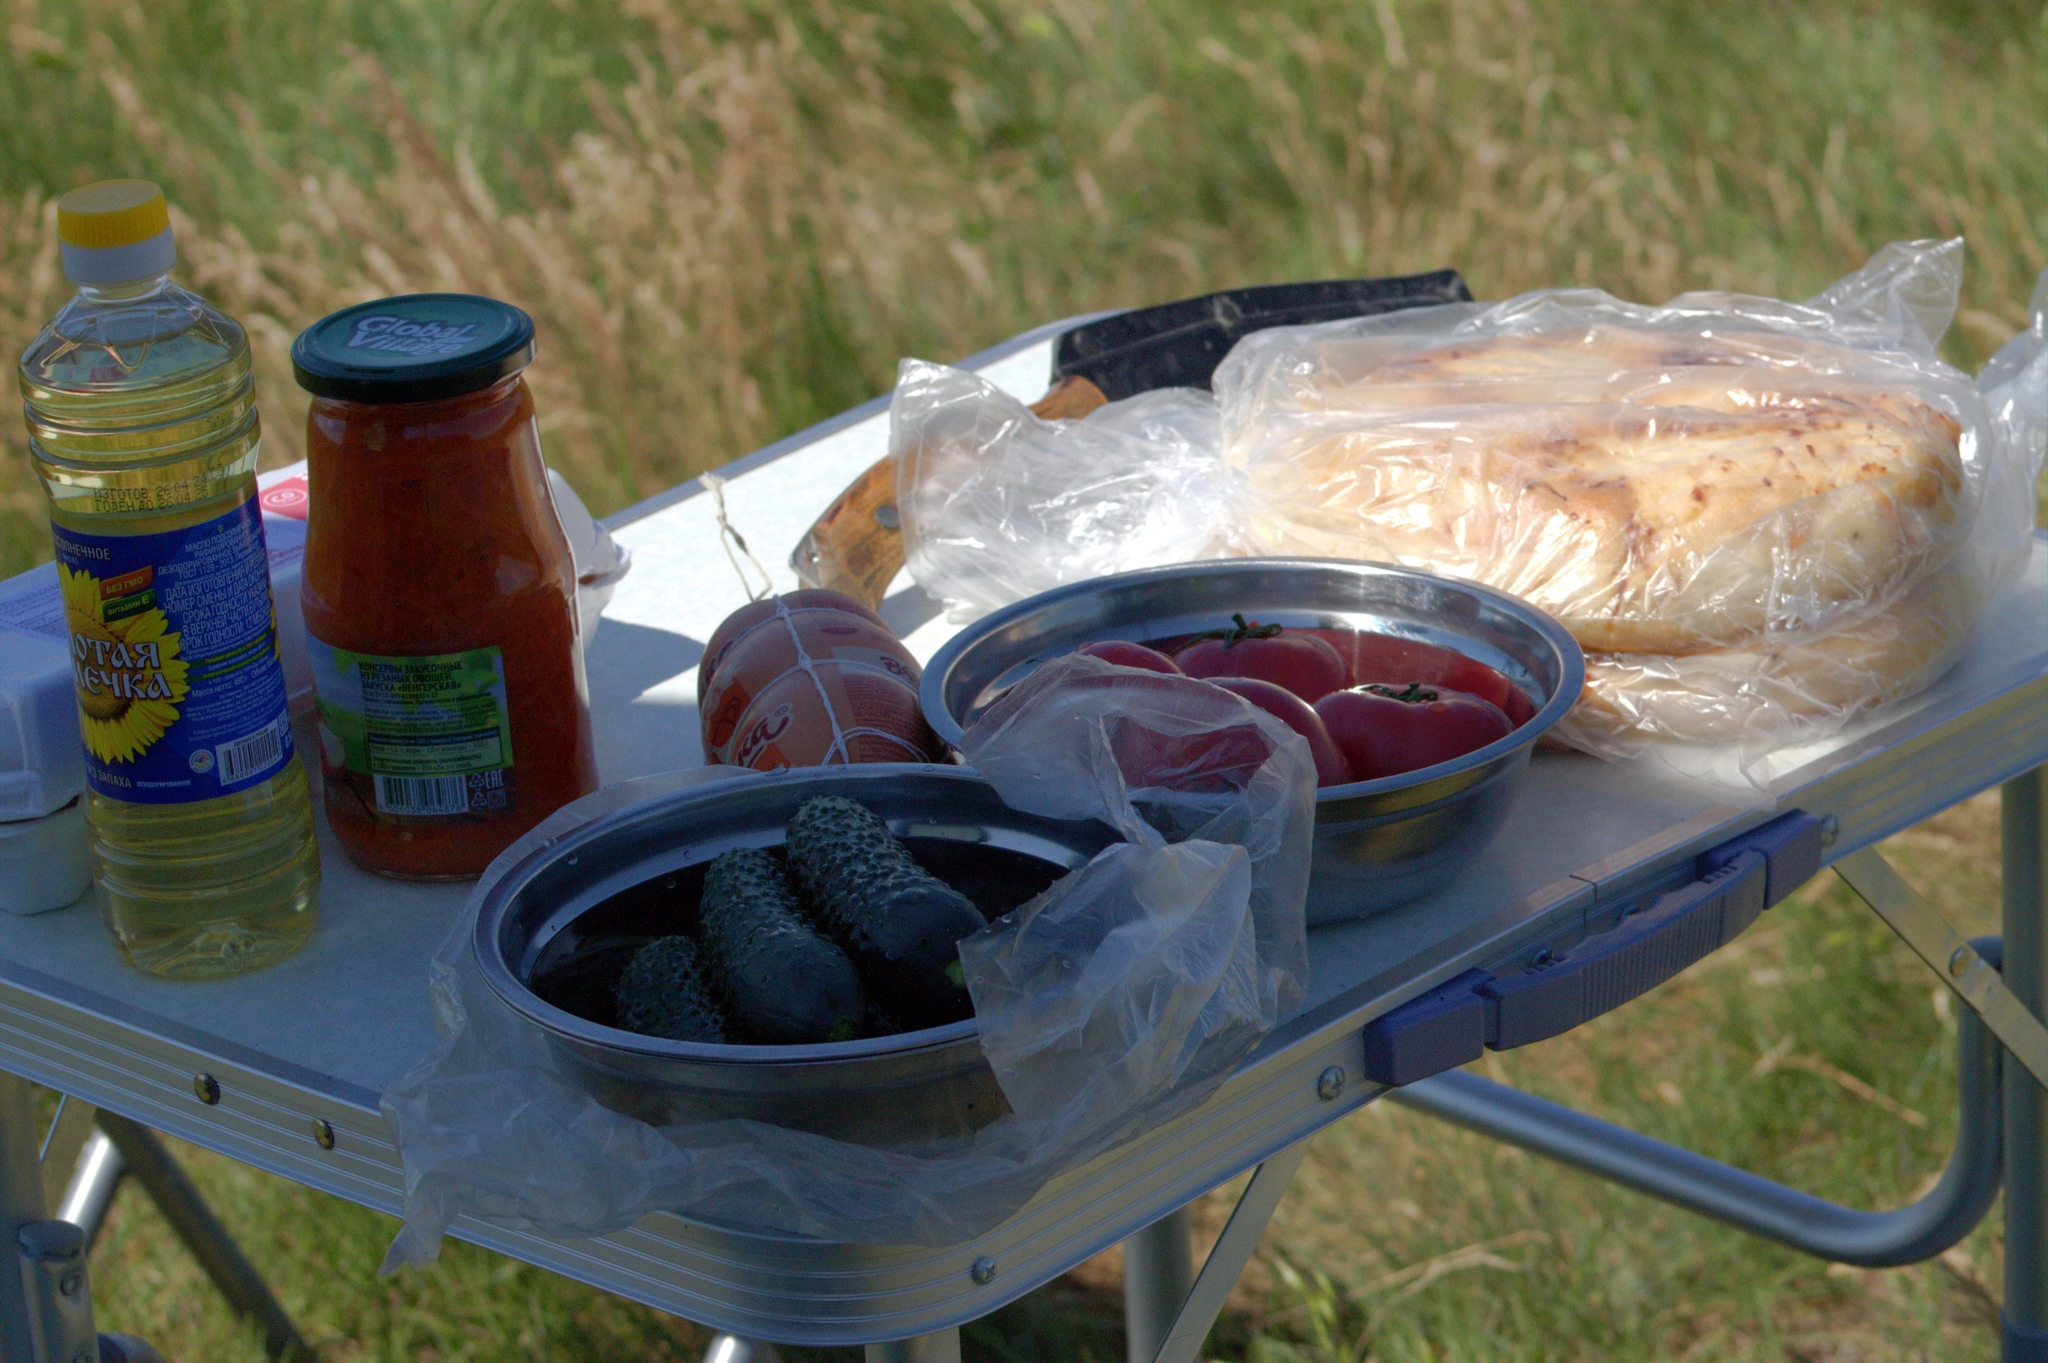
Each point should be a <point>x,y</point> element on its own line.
<point>1000,504</point>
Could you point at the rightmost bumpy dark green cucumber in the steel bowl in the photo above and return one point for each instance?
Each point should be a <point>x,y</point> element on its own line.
<point>898,922</point>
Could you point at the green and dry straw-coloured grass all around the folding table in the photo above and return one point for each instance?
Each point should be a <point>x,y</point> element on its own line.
<point>732,218</point>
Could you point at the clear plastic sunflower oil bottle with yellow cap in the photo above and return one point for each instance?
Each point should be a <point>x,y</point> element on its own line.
<point>142,425</point>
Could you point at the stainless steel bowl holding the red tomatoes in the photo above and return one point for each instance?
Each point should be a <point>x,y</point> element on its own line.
<point>1377,844</point>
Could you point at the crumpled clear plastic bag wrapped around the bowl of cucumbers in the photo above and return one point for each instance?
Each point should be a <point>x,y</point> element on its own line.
<point>1117,1000</point>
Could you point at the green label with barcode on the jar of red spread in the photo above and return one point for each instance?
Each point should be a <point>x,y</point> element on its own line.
<point>431,732</point>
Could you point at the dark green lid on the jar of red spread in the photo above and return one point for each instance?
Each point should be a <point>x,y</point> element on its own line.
<point>417,349</point>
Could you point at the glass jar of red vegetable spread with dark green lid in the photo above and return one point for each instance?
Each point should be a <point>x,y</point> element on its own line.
<point>439,590</point>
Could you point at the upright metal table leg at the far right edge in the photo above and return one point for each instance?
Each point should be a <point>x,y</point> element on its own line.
<point>2024,854</point>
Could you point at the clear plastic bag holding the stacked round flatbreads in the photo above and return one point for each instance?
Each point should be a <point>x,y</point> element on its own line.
<point>1760,519</point>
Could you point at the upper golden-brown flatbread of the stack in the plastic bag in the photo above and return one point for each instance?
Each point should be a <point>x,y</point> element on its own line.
<point>1658,494</point>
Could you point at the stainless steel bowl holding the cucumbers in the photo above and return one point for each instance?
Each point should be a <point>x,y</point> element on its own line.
<point>556,932</point>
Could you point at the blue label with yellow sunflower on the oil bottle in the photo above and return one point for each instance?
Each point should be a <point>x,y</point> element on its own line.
<point>181,695</point>
